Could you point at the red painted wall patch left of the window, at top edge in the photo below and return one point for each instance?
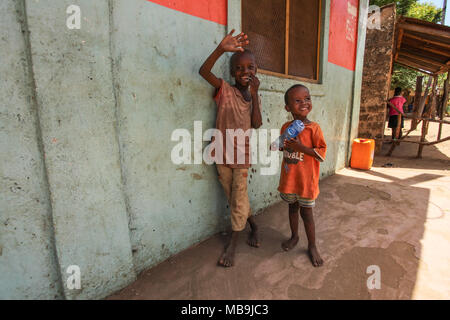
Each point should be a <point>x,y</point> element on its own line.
<point>212,10</point>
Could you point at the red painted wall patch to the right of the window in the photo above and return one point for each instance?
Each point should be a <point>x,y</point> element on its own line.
<point>343,33</point>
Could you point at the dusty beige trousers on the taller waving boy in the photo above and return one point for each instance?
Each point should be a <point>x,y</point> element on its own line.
<point>234,183</point>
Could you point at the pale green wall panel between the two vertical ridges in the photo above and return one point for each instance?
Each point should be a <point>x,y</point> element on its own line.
<point>74,89</point>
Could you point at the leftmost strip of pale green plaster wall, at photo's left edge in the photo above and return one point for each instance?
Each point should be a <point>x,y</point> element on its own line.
<point>28,263</point>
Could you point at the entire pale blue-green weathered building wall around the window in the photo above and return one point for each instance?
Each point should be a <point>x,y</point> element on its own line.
<point>87,117</point>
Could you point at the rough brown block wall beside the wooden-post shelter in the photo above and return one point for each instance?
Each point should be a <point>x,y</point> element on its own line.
<point>376,77</point>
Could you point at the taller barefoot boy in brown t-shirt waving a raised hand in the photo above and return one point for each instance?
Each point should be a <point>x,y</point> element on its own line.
<point>238,107</point>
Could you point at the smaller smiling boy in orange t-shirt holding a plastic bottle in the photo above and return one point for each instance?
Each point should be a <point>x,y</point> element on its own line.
<point>299,180</point>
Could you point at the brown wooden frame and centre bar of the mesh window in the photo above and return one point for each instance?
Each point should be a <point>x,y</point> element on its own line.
<point>286,75</point>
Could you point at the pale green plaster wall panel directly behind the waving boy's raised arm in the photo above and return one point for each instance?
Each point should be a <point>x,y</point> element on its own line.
<point>157,53</point>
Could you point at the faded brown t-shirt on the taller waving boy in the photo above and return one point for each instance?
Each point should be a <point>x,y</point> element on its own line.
<point>234,113</point>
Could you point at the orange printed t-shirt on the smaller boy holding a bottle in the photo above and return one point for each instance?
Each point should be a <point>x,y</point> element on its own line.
<point>302,174</point>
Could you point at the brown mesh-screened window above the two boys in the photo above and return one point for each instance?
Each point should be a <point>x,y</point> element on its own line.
<point>284,36</point>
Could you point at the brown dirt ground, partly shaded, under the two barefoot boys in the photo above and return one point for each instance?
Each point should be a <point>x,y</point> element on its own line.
<point>395,217</point>
